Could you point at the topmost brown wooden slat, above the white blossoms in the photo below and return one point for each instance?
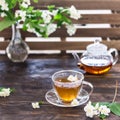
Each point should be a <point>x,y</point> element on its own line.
<point>81,4</point>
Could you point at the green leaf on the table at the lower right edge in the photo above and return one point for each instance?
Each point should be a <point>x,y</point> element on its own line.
<point>115,108</point>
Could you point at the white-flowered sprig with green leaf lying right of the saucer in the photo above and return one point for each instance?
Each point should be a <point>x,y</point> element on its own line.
<point>102,109</point>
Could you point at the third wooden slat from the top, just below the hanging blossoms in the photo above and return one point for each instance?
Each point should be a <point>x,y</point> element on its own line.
<point>82,32</point>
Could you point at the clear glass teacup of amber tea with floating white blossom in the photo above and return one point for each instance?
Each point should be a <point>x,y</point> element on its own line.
<point>68,84</point>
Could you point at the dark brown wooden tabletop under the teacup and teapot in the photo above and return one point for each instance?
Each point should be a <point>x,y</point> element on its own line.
<point>32,80</point>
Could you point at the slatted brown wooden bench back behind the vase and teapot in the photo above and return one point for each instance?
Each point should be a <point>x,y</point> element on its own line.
<point>109,34</point>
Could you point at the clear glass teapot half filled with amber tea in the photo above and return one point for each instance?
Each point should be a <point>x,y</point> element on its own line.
<point>97,59</point>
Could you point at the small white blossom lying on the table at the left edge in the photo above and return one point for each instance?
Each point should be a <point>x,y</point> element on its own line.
<point>4,92</point>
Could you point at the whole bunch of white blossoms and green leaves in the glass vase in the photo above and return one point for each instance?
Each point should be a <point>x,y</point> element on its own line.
<point>40,22</point>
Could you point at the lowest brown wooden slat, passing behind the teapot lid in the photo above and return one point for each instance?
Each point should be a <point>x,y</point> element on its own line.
<point>63,45</point>
